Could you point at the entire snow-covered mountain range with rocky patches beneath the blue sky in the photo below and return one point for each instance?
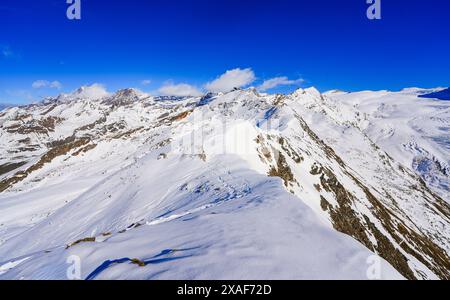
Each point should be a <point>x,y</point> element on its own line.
<point>239,185</point>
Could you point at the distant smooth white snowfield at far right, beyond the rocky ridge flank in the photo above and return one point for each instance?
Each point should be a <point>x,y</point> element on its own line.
<point>412,125</point>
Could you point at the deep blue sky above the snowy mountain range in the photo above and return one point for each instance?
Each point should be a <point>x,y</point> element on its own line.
<point>329,44</point>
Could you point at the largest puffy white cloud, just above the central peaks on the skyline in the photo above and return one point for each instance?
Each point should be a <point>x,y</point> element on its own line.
<point>231,79</point>
